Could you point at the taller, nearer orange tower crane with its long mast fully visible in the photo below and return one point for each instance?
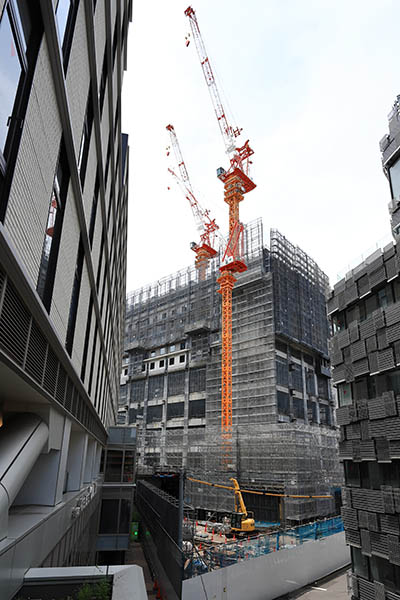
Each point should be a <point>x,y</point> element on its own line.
<point>236,182</point>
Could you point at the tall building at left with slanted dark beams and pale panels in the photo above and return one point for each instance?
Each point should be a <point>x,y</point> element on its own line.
<point>63,213</point>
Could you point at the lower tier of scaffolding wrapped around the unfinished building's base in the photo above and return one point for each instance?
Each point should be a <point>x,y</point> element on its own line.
<point>281,458</point>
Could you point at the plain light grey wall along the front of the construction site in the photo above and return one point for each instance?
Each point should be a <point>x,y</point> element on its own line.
<point>272,575</point>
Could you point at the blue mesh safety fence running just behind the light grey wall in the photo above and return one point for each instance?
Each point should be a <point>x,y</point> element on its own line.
<point>232,552</point>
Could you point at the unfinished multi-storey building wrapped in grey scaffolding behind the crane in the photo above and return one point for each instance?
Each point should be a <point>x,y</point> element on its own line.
<point>283,439</point>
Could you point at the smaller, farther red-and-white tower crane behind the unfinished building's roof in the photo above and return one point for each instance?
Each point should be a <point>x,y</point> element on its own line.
<point>207,226</point>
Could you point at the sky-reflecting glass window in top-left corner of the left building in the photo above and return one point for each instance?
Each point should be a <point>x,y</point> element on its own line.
<point>10,72</point>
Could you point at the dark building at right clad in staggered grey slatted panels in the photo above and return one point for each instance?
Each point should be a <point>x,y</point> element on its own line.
<point>364,308</point>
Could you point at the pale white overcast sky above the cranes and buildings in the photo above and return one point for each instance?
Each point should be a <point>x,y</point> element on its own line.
<point>310,81</point>
